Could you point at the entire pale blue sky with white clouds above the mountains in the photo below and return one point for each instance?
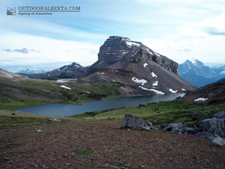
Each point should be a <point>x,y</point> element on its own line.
<point>177,29</point>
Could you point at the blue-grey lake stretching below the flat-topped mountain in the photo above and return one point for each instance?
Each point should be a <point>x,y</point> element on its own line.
<point>115,103</point>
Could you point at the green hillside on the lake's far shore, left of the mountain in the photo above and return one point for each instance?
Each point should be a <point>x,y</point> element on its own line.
<point>16,93</point>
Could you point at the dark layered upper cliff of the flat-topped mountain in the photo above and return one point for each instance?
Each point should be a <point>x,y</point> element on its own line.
<point>118,48</point>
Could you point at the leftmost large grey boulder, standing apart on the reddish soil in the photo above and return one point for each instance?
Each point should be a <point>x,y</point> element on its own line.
<point>134,122</point>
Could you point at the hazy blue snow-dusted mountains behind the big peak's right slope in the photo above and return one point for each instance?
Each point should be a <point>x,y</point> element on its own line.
<point>195,72</point>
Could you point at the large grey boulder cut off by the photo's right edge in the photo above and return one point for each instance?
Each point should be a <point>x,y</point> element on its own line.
<point>213,126</point>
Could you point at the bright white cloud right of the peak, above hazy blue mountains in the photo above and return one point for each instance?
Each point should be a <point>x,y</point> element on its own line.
<point>193,40</point>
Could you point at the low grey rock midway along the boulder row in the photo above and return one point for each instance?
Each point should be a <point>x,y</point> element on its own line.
<point>176,128</point>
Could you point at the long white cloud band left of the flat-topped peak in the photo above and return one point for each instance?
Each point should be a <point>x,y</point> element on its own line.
<point>51,50</point>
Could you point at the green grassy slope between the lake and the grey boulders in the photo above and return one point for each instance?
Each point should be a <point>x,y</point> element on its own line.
<point>163,112</point>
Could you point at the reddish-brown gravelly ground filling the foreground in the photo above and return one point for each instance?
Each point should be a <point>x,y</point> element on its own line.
<point>102,144</point>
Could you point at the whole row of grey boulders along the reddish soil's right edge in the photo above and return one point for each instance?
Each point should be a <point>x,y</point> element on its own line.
<point>211,129</point>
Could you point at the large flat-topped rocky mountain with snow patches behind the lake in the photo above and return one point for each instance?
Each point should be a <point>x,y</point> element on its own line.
<point>140,70</point>
